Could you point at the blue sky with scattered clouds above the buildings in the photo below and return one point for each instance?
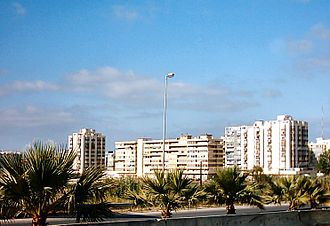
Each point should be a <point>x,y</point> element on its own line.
<point>67,65</point>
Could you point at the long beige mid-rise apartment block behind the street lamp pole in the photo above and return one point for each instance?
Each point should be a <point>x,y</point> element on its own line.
<point>199,157</point>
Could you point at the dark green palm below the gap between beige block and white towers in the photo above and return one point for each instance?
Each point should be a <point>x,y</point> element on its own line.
<point>229,186</point>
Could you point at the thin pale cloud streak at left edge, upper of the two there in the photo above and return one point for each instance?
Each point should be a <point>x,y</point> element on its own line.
<point>26,86</point>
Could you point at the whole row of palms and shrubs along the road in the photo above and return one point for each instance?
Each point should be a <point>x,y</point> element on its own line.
<point>42,181</point>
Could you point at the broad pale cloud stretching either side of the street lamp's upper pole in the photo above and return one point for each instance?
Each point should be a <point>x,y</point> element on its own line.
<point>132,90</point>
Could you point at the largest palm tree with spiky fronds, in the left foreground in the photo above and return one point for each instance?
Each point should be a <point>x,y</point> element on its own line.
<point>33,183</point>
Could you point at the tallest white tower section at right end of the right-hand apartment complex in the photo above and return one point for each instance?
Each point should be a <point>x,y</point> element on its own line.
<point>286,144</point>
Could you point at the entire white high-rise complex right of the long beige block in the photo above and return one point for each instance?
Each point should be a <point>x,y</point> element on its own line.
<point>278,146</point>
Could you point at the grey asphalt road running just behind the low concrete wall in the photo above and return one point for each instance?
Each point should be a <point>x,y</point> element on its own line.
<point>134,216</point>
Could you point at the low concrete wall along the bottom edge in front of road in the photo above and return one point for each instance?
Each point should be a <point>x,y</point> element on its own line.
<point>295,218</point>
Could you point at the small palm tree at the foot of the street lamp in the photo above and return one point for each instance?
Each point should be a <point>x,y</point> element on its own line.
<point>167,190</point>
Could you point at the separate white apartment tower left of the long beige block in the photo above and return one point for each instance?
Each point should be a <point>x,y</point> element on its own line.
<point>90,148</point>
